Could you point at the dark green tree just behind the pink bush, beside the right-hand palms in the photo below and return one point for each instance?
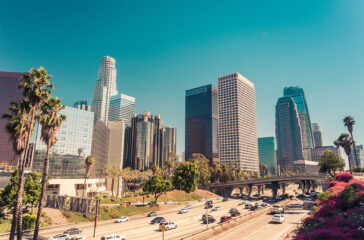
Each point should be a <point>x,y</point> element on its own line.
<point>330,163</point>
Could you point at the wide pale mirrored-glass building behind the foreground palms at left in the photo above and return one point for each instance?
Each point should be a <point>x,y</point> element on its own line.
<point>67,156</point>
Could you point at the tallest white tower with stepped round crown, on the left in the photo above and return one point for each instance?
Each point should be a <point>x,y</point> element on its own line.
<point>105,88</point>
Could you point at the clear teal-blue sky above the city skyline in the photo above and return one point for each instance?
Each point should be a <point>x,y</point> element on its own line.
<point>163,48</point>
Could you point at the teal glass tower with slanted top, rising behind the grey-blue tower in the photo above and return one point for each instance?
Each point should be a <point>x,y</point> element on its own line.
<point>299,98</point>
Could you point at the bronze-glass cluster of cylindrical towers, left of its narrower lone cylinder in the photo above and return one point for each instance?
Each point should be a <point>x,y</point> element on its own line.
<point>143,139</point>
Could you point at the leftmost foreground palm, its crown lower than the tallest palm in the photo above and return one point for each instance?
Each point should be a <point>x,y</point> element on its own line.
<point>17,127</point>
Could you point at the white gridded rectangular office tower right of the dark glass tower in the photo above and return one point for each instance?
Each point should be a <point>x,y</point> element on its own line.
<point>238,143</point>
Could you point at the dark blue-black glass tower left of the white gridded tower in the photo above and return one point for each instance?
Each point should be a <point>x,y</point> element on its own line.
<point>201,133</point>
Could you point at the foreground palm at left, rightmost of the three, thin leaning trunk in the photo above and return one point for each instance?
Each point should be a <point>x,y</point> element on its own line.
<point>51,122</point>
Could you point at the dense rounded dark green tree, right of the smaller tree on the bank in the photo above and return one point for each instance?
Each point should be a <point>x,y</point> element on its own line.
<point>188,172</point>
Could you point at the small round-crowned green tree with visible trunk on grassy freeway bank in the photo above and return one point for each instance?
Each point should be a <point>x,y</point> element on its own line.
<point>157,186</point>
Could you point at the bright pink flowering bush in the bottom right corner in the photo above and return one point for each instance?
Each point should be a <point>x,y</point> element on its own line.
<point>340,214</point>
